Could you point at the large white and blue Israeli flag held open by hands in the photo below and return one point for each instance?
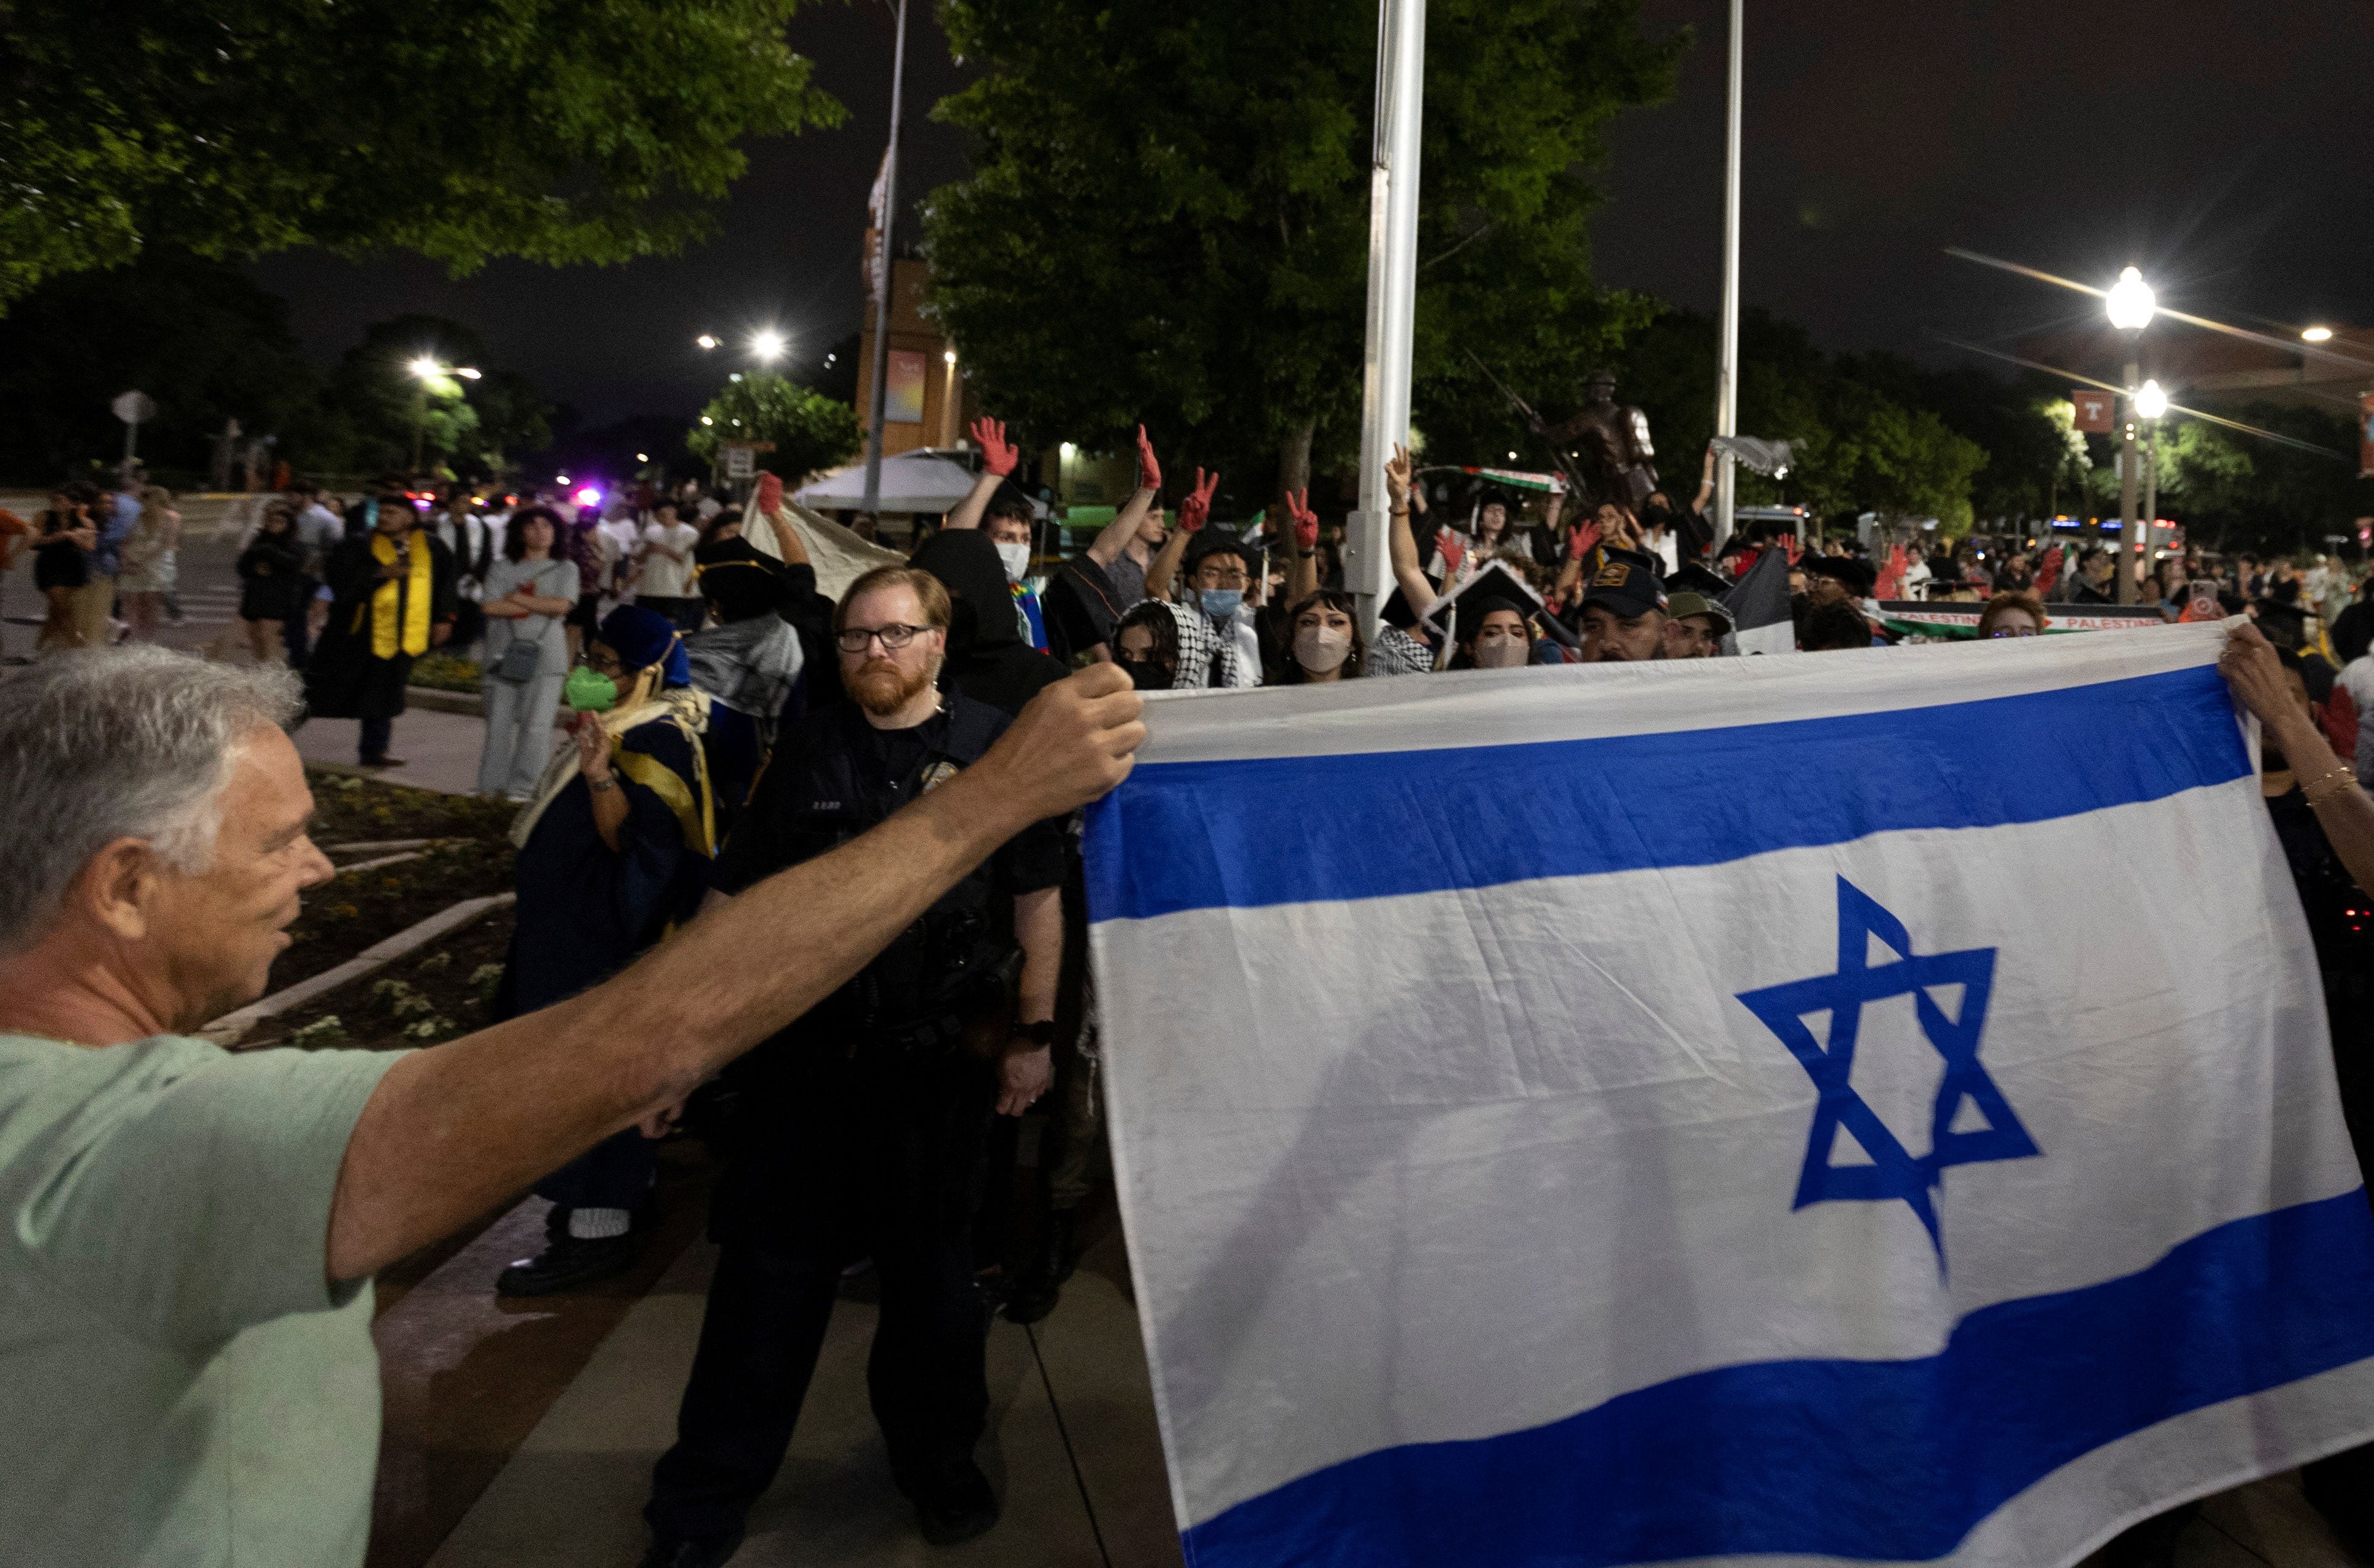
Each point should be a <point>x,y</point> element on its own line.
<point>1782,1111</point>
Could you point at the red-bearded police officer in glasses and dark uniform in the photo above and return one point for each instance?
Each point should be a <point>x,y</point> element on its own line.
<point>861,1130</point>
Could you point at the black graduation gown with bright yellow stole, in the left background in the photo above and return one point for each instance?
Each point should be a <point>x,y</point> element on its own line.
<point>367,652</point>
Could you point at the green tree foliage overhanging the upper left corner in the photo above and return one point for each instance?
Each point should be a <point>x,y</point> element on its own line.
<point>457,129</point>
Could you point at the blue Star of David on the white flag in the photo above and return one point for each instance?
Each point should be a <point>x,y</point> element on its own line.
<point>1893,1172</point>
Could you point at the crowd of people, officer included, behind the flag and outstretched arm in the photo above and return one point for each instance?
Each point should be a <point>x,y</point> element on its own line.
<point>728,721</point>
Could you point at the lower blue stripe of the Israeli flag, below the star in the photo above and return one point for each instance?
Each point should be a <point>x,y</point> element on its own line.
<point>1855,1460</point>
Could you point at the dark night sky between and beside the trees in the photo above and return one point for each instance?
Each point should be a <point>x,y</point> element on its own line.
<point>2214,144</point>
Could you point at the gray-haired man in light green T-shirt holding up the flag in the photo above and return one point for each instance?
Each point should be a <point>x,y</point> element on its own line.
<point>186,1237</point>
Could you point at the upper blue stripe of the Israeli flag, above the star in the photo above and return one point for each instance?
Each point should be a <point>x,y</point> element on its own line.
<point>1366,826</point>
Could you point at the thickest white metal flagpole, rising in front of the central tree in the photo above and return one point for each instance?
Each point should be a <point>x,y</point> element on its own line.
<point>1392,296</point>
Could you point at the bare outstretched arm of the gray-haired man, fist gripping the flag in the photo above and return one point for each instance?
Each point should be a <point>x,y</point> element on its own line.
<point>457,1130</point>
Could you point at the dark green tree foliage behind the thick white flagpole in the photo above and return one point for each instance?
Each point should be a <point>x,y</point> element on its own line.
<point>1169,215</point>
